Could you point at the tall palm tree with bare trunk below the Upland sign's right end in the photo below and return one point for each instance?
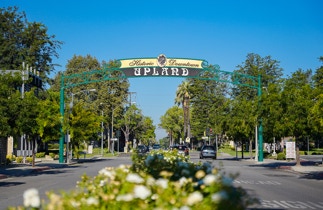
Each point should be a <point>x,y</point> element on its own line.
<point>183,98</point>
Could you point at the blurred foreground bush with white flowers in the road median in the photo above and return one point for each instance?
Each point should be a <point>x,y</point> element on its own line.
<point>159,180</point>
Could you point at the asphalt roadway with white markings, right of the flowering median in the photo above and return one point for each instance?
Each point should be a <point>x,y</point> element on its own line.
<point>275,188</point>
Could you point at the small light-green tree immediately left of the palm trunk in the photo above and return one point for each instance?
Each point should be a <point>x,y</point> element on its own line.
<point>172,121</point>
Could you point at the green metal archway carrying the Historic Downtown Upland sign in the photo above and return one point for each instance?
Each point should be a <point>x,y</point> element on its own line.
<point>160,67</point>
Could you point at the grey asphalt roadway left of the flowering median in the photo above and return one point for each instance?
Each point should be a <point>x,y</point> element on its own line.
<point>56,179</point>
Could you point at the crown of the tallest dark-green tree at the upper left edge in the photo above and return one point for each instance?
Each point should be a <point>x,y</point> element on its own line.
<point>23,41</point>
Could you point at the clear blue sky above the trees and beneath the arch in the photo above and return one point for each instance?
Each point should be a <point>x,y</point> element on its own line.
<point>221,32</point>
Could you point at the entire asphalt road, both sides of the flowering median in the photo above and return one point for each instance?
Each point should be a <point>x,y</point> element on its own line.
<point>276,188</point>
